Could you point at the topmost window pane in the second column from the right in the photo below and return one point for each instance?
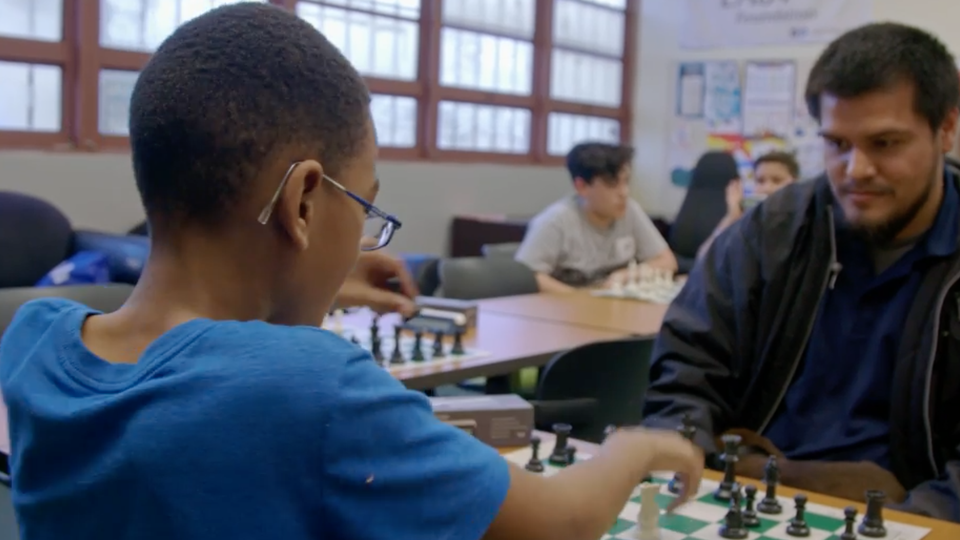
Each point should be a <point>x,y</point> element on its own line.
<point>512,17</point>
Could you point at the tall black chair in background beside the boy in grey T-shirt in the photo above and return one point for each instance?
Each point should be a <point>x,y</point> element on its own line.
<point>703,207</point>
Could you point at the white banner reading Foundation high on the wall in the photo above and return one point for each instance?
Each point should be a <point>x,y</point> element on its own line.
<point>718,24</point>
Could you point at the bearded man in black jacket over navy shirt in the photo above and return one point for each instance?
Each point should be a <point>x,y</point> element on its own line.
<point>824,326</point>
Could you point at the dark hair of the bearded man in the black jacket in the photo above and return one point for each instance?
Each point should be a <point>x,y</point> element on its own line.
<point>876,56</point>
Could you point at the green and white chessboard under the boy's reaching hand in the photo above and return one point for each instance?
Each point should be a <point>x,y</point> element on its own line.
<point>700,519</point>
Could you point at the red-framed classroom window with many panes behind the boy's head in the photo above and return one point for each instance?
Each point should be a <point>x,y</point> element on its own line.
<point>517,81</point>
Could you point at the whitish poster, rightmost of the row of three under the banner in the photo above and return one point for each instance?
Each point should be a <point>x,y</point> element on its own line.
<point>769,90</point>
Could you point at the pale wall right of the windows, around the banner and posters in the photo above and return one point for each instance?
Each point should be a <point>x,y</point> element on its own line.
<point>659,55</point>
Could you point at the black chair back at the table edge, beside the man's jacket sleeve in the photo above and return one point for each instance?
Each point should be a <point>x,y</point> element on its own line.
<point>595,386</point>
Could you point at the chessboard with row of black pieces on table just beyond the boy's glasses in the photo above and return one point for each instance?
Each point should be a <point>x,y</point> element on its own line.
<point>395,349</point>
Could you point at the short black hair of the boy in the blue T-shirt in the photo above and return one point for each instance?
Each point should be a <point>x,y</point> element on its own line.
<point>227,91</point>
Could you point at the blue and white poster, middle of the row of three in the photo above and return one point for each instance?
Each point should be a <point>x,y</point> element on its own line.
<point>722,97</point>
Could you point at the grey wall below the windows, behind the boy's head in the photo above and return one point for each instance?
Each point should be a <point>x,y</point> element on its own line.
<point>97,191</point>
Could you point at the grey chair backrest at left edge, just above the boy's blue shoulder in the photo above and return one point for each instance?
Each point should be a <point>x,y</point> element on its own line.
<point>105,298</point>
